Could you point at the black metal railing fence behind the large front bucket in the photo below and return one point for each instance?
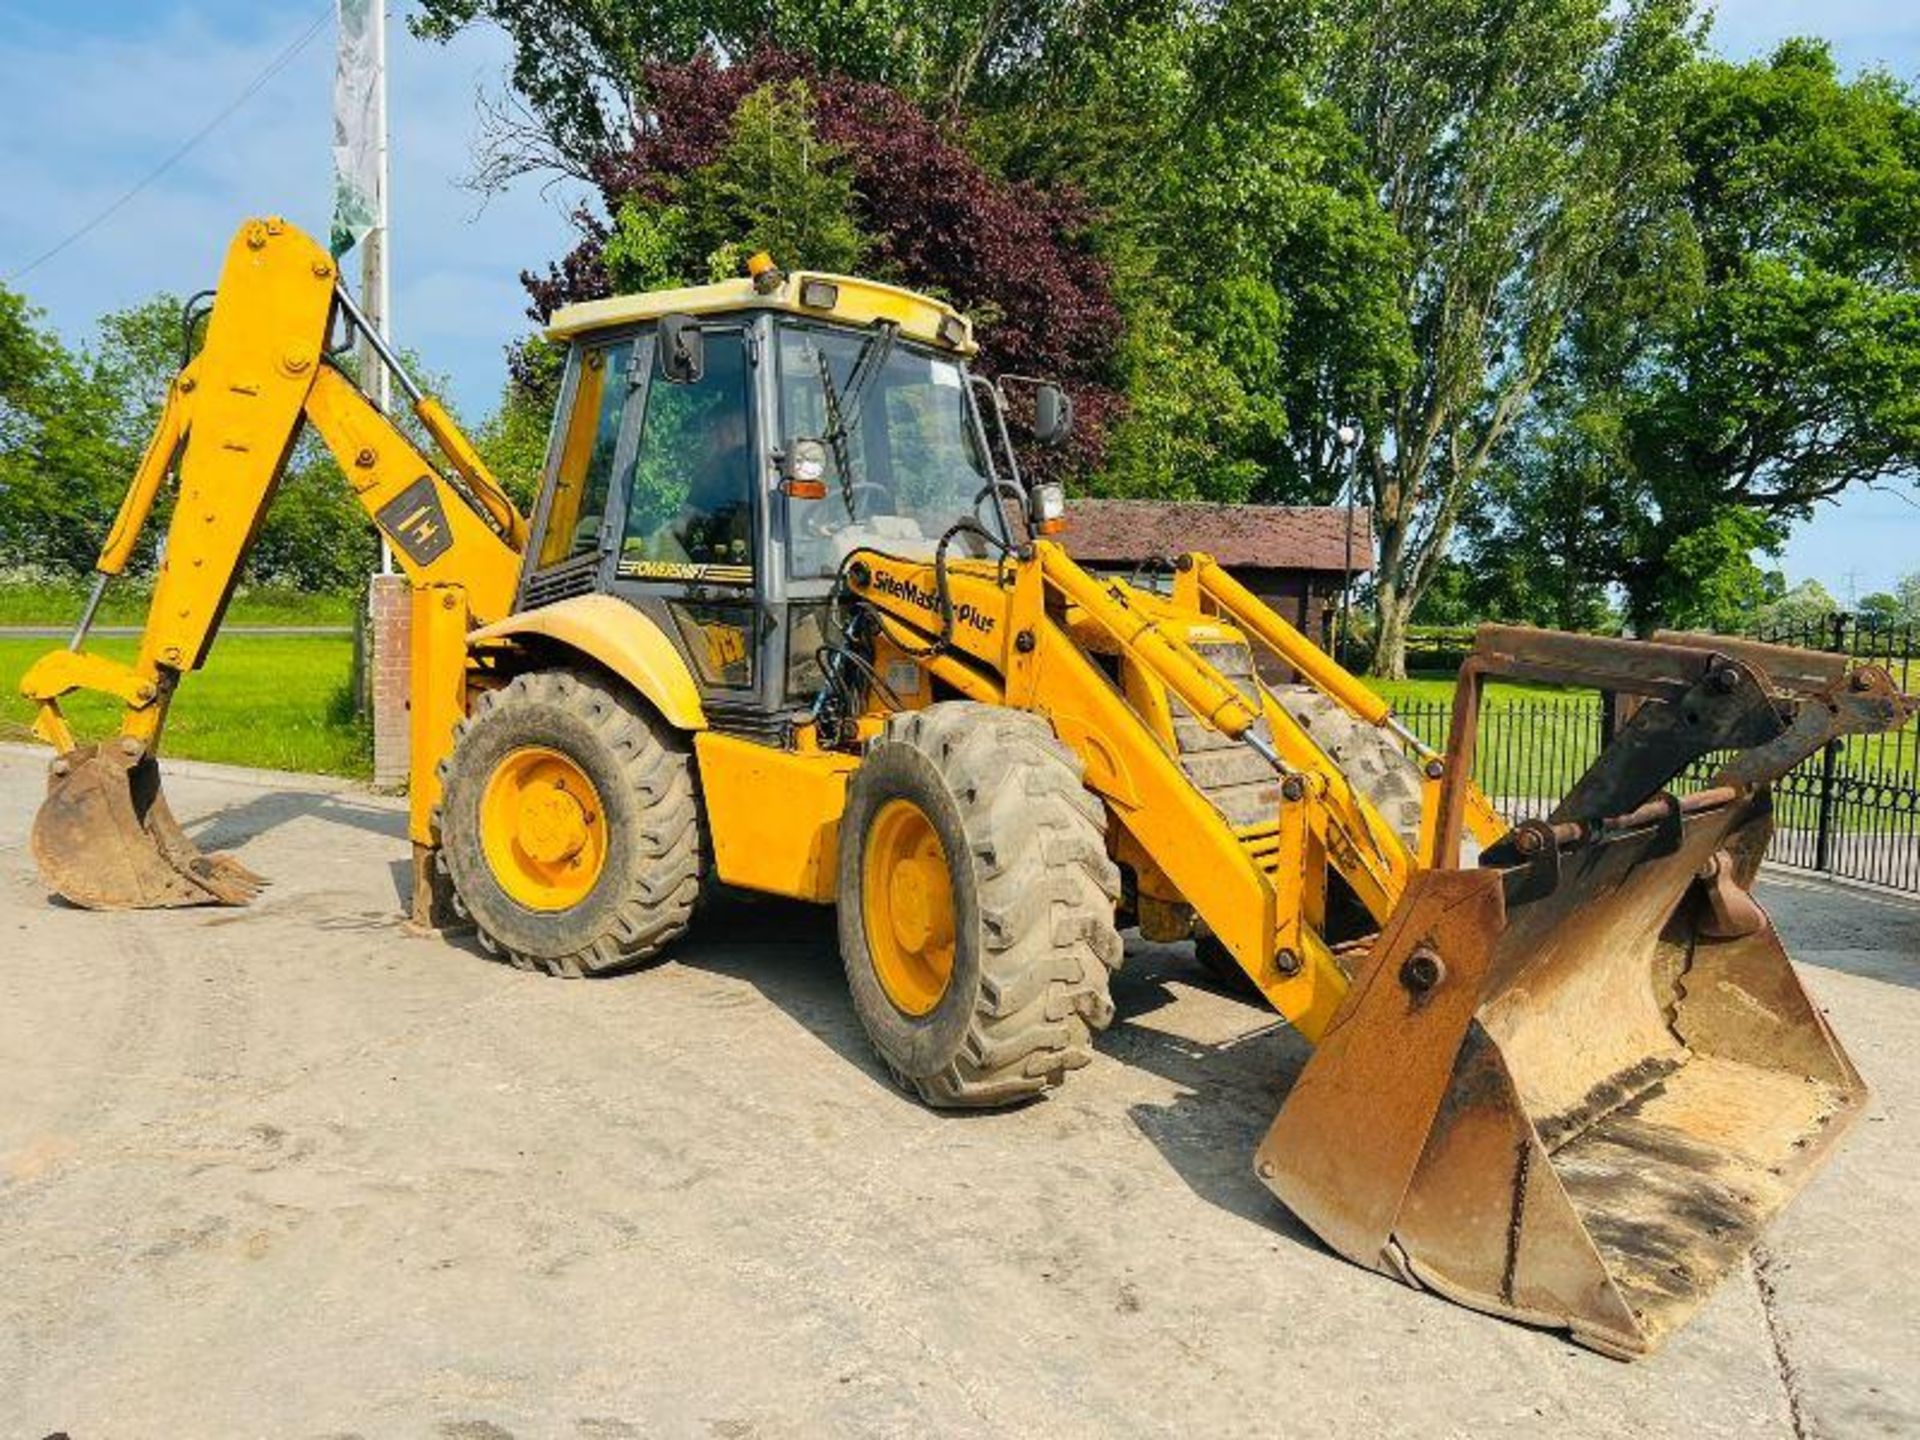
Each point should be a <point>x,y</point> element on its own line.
<point>1854,811</point>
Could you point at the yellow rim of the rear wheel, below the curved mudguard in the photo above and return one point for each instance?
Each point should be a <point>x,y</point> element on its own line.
<point>542,828</point>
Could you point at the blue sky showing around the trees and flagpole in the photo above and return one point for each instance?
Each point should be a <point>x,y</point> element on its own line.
<point>101,91</point>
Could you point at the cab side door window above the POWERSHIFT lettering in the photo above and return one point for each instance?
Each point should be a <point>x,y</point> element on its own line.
<point>690,502</point>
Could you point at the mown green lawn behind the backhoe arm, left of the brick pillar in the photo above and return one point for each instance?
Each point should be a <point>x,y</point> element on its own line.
<point>277,702</point>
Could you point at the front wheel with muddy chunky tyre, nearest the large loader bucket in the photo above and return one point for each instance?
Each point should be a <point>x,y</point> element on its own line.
<point>976,905</point>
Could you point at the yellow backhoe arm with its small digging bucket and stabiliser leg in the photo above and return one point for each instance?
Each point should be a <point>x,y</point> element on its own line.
<point>229,423</point>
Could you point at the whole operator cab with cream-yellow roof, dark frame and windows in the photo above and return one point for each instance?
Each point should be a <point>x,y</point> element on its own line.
<point>719,452</point>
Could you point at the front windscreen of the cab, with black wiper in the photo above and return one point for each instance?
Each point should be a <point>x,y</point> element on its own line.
<point>909,464</point>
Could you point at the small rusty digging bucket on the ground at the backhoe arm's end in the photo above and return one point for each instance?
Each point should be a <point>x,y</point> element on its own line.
<point>107,840</point>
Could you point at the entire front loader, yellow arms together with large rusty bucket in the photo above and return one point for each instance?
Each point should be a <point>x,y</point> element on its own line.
<point>1570,1084</point>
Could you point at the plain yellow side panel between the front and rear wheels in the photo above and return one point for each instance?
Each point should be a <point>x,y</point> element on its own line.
<point>775,815</point>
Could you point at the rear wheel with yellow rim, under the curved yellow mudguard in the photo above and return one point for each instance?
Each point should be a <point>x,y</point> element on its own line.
<point>569,827</point>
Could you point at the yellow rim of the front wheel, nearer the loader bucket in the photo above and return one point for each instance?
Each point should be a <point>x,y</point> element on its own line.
<point>909,907</point>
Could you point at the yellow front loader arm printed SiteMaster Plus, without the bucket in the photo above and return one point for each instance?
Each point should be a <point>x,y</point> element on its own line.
<point>1259,890</point>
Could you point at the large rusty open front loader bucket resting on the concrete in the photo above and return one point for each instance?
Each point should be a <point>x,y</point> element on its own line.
<point>1572,1086</point>
